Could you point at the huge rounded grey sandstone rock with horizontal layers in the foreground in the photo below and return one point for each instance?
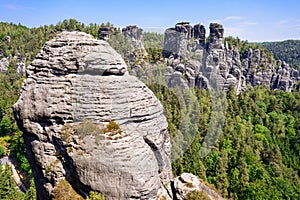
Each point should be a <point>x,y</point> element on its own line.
<point>86,120</point>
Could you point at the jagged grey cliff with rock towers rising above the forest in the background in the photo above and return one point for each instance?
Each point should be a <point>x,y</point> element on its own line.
<point>192,62</point>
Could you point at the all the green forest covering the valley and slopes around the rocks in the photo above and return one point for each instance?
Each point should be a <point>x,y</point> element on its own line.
<point>256,156</point>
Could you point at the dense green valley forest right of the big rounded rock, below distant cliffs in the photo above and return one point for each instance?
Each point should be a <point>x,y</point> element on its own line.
<point>257,155</point>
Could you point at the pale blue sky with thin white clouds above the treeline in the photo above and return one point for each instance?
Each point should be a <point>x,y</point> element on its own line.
<point>252,20</point>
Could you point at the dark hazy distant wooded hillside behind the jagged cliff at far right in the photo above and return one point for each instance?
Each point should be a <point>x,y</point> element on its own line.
<point>288,51</point>
